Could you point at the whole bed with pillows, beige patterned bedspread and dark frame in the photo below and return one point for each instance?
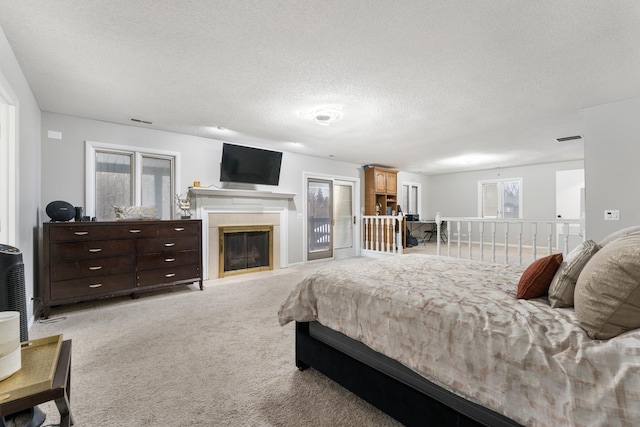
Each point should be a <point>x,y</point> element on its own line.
<point>442,341</point>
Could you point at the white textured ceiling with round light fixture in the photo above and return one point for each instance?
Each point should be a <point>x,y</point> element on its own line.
<point>423,86</point>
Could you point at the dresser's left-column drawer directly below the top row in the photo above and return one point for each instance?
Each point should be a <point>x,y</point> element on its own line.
<point>91,250</point>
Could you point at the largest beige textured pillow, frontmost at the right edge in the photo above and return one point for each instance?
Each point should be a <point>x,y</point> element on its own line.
<point>607,295</point>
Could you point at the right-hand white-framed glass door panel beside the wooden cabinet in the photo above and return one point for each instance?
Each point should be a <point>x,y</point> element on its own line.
<point>344,219</point>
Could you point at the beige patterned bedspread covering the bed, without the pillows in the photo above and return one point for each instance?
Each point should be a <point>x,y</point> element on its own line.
<point>458,323</point>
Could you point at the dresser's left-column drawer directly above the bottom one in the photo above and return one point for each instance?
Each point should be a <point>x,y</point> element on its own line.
<point>92,268</point>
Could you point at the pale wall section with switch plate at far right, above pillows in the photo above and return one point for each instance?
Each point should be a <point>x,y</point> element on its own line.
<point>612,166</point>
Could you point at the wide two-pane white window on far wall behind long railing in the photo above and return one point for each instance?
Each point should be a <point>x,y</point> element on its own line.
<point>500,198</point>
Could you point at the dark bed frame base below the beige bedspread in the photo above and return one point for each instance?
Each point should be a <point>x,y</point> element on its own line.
<point>386,383</point>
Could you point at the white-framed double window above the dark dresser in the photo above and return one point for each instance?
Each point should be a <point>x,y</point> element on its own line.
<point>128,176</point>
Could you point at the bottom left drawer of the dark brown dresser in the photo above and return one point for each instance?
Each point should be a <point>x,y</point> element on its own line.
<point>80,288</point>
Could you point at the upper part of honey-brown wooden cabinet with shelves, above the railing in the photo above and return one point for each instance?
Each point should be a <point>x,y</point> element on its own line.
<point>381,191</point>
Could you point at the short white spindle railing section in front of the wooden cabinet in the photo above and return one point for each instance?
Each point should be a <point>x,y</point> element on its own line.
<point>380,235</point>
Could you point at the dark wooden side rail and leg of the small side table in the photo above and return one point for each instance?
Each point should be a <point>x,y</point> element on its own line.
<point>60,391</point>
